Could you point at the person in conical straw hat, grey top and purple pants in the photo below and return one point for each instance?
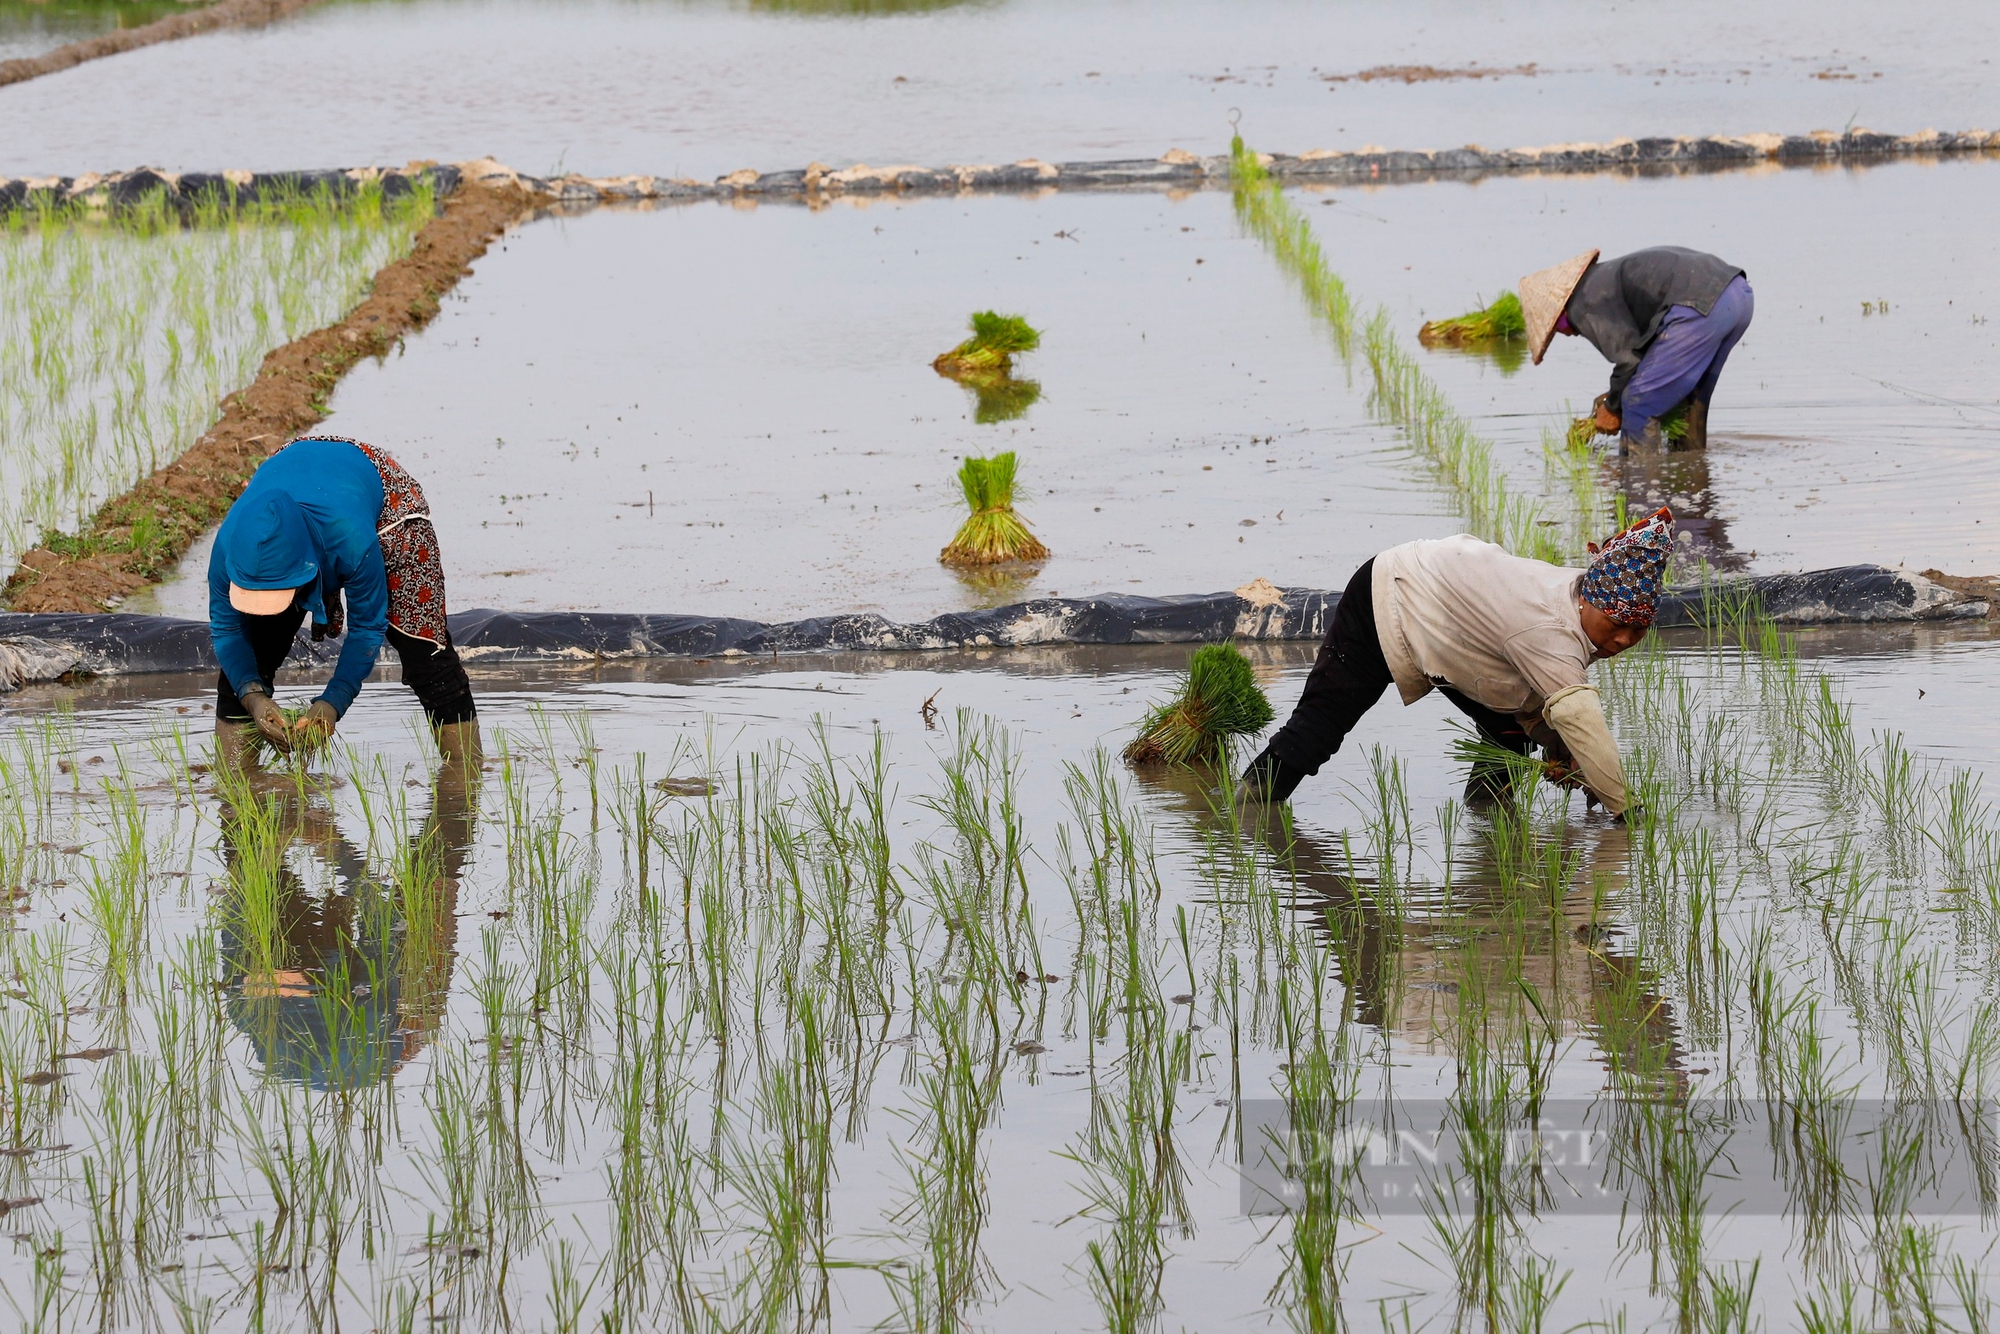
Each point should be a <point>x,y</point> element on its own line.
<point>1665,319</point>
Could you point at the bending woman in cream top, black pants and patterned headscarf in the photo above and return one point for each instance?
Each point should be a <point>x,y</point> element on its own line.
<point>1505,639</point>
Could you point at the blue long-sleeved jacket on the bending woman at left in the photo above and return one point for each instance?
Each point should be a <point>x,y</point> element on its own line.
<point>307,521</point>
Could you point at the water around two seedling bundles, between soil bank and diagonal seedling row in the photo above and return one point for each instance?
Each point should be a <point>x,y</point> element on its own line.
<point>735,413</point>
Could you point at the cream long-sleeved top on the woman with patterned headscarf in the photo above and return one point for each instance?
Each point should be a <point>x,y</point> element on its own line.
<point>1503,631</point>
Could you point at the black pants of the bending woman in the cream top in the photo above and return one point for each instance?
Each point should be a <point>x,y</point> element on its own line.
<point>1347,681</point>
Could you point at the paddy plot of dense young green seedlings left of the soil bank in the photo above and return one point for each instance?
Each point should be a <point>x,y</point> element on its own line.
<point>123,335</point>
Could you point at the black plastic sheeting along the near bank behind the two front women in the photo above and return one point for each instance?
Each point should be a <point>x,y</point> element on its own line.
<point>47,647</point>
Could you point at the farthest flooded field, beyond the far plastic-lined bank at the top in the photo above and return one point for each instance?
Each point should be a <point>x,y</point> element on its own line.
<point>707,89</point>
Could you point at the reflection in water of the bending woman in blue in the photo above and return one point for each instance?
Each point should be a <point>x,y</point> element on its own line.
<point>341,969</point>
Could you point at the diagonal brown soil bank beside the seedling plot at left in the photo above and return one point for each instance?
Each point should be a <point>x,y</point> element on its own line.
<point>137,539</point>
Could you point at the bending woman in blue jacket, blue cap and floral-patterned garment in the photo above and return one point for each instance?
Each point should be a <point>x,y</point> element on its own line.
<point>337,531</point>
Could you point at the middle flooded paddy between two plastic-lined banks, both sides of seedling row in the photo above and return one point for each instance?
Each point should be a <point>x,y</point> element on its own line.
<point>731,411</point>
